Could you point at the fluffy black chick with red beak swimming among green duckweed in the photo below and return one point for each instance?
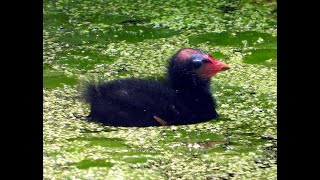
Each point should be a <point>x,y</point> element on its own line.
<point>182,98</point>
